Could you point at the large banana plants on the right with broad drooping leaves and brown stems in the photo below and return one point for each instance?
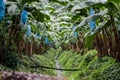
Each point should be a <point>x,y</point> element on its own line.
<point>106,21</point>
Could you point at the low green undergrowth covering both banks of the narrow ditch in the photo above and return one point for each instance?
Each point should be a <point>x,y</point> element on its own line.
<point>91,67</point>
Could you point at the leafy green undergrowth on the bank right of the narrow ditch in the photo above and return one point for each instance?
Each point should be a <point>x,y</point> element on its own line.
<point>92,67</point>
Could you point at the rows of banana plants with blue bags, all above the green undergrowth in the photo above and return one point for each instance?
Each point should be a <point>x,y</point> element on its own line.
<point>28,27</point>
